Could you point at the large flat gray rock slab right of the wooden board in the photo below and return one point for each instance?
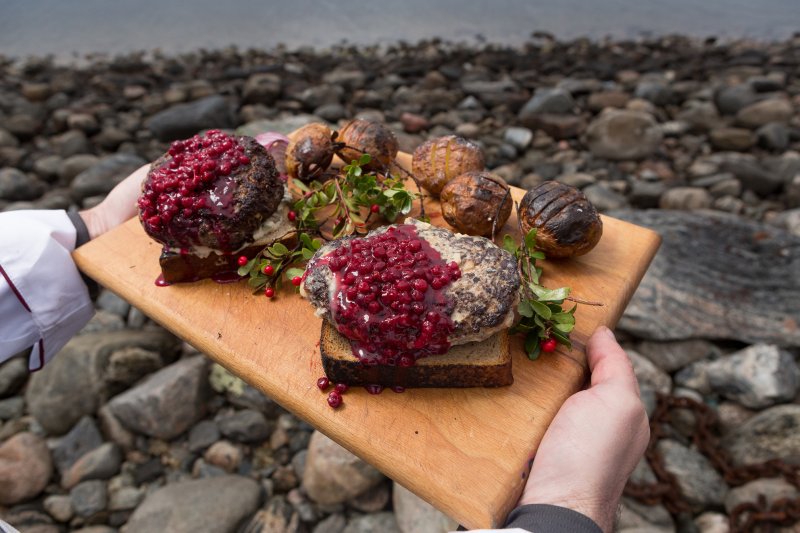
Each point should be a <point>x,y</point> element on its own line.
<point>696,286</point>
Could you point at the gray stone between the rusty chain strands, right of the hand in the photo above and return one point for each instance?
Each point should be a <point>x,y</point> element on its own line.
<point>699,483</point>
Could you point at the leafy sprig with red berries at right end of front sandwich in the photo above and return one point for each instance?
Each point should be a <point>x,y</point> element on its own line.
<point>544,321</point>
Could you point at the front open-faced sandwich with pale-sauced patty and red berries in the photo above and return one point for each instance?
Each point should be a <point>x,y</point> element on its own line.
<point>414,305</point>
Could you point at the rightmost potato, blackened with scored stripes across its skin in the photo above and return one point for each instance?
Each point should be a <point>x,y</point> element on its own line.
<point>567,223</point>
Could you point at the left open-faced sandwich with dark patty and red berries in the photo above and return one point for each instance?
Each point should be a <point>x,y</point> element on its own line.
<point>210,200</point>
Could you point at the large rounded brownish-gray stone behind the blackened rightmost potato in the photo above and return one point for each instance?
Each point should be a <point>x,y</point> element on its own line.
<point>623,134</point>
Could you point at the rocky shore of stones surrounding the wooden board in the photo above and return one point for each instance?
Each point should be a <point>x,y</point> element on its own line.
<point>129,429</point>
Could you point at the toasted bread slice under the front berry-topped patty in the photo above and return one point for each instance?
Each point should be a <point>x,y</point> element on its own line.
<point>477,364</point>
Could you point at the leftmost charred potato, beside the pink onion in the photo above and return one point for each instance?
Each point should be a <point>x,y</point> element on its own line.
<point>310,152</point>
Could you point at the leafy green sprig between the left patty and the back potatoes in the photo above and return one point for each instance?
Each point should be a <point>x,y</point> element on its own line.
<point>350,198</point>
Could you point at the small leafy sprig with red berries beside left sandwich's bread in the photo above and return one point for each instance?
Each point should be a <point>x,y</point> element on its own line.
<point>277,263</point>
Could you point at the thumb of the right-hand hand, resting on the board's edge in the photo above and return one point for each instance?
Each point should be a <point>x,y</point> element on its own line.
<point>608,362</point>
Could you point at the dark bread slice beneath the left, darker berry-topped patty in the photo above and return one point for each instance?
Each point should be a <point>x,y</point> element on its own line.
<point>178,267</point>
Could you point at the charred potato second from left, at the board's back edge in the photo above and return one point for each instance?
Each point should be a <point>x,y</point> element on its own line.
<point>363,136</point>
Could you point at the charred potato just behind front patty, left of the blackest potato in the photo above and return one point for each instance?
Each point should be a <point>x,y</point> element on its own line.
<point>471,201</point>
